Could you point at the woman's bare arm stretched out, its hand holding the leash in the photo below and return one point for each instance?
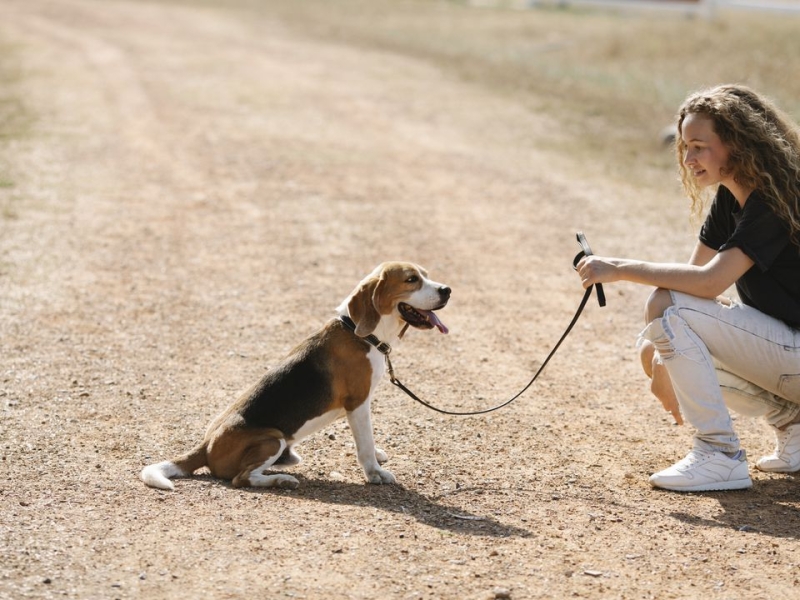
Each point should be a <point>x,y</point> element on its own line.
<point>708,274</point>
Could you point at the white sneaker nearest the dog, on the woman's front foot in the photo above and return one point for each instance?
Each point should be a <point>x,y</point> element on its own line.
<point>705,471</point>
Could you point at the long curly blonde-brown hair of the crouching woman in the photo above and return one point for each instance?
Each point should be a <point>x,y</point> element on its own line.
<point>763,148</point>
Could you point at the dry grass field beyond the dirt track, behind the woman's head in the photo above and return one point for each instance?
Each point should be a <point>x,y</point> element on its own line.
<point>612,80</point>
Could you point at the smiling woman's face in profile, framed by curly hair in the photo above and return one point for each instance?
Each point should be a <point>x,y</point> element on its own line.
<point>705,156</point>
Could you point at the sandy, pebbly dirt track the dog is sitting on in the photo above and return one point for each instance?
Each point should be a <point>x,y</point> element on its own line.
<point>198,190</point>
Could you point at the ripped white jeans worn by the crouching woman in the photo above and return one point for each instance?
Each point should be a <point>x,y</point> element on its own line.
<point>718,355</point>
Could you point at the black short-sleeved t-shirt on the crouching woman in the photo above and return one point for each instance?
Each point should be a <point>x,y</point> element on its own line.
<point>772,284</point>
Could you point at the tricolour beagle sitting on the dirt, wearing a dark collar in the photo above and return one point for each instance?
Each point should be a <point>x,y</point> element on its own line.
<point>330,375</point>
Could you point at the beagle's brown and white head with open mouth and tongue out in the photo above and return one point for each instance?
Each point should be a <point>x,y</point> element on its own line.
<point>397,293</point>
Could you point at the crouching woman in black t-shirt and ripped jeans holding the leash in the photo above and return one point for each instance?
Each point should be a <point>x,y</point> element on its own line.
<point>705,353</point>
